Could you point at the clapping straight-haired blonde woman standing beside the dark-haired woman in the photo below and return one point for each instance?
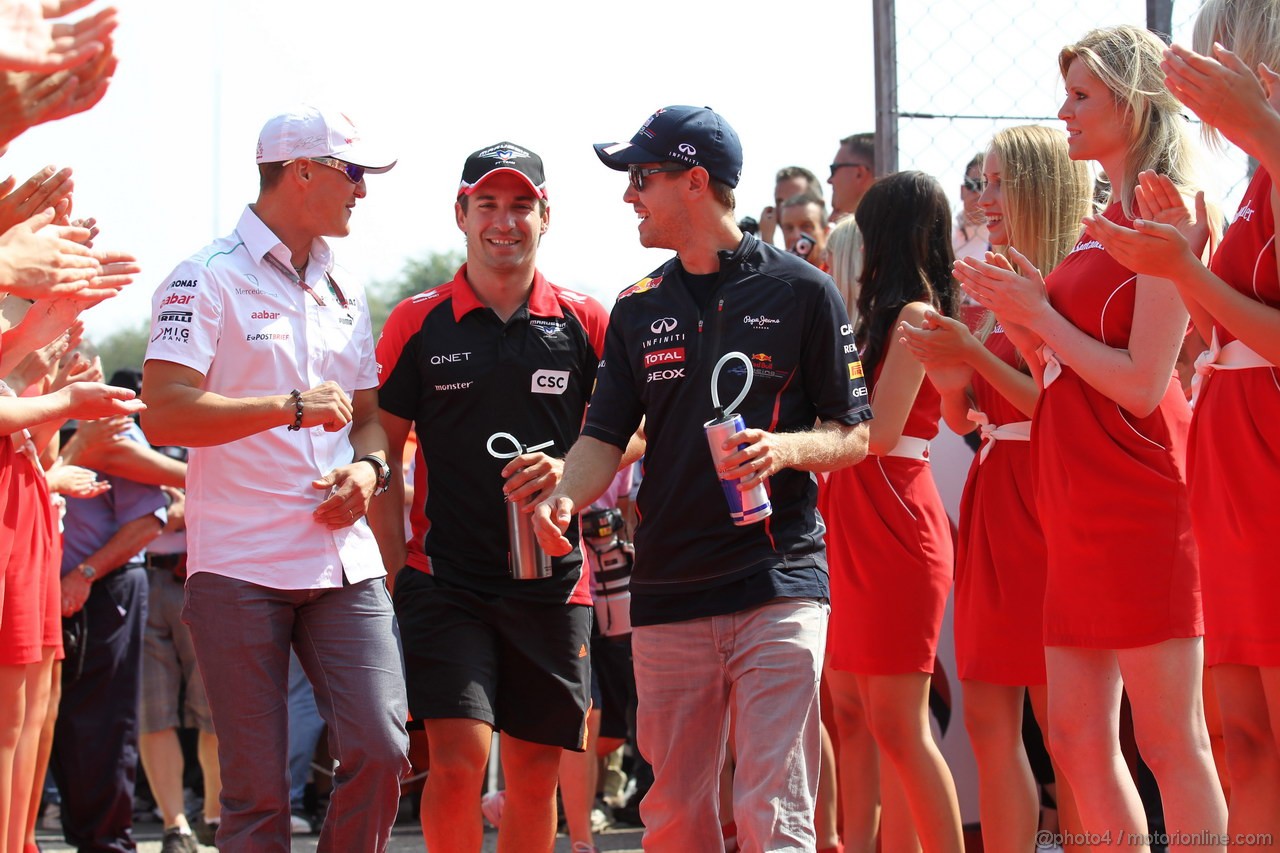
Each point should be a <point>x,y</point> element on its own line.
<point>1035,198</point>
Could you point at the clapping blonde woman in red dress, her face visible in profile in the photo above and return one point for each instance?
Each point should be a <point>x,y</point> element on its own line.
<point>1109,436</point>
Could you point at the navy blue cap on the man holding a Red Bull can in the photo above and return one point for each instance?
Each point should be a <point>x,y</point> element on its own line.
<point>691,135</point>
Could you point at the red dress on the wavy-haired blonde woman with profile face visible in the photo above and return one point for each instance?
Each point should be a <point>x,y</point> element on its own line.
<point>1110,487</point>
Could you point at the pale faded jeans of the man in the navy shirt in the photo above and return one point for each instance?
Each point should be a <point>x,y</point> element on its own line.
<point>762,668</point>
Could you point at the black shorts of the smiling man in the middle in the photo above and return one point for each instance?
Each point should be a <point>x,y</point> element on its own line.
<point>520,667</point>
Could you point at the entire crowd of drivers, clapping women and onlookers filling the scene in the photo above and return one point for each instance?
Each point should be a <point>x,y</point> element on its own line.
<point>282,524</point>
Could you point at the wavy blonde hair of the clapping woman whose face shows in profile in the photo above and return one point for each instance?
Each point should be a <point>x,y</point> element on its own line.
<point>1127,61</point>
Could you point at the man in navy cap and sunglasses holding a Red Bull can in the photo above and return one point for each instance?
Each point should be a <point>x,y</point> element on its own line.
<point>728,622</point>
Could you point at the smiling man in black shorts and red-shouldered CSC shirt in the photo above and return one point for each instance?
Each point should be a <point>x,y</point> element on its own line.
<point>495,371</point>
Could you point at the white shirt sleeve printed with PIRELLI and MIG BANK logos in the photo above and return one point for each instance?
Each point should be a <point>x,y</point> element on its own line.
<point>186,318</point>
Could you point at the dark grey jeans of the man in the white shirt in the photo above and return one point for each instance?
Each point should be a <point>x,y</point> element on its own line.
<point>346,641</point>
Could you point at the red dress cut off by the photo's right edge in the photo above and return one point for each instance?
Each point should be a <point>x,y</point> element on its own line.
<point>1235,467</point>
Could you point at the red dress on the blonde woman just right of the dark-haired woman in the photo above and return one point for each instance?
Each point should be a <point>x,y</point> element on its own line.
<point>1000,550</point>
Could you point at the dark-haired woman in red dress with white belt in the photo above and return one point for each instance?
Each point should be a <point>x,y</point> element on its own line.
<point>890,539</point>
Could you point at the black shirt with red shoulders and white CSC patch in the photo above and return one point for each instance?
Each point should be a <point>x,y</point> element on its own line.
<point>461,375</point>
